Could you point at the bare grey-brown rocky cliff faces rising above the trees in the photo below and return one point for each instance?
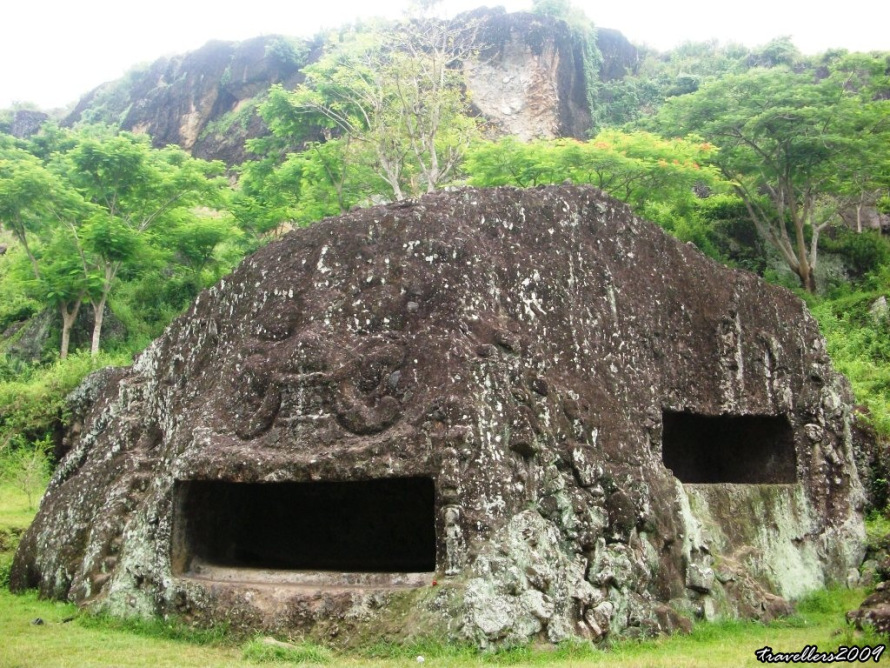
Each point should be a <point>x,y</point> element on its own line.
<point>528,81</point>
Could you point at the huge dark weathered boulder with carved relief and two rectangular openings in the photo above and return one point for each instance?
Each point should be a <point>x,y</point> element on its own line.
<point>525,364</point>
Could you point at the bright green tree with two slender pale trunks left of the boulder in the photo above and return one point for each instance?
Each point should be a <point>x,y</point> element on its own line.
<point>119,195</point>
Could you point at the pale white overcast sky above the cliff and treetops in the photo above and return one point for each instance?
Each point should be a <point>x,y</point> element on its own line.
<point>52,52</point>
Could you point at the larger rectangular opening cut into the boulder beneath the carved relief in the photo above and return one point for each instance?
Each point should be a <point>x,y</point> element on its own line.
<point>375,526</point>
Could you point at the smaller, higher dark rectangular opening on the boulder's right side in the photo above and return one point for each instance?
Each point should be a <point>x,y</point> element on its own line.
<point>752,449</point>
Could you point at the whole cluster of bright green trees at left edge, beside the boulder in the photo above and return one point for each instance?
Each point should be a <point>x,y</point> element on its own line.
<point>93,210</point>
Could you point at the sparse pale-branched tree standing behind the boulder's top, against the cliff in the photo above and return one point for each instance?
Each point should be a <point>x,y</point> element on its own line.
<point>393,96</point>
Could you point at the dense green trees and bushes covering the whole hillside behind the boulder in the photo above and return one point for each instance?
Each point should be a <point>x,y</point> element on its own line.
<point>765,159</point>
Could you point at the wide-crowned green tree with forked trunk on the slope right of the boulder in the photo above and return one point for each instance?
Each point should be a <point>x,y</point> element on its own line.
<point>784,140</point>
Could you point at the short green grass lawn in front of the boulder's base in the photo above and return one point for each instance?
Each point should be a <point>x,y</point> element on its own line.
<point>69,637</point>
